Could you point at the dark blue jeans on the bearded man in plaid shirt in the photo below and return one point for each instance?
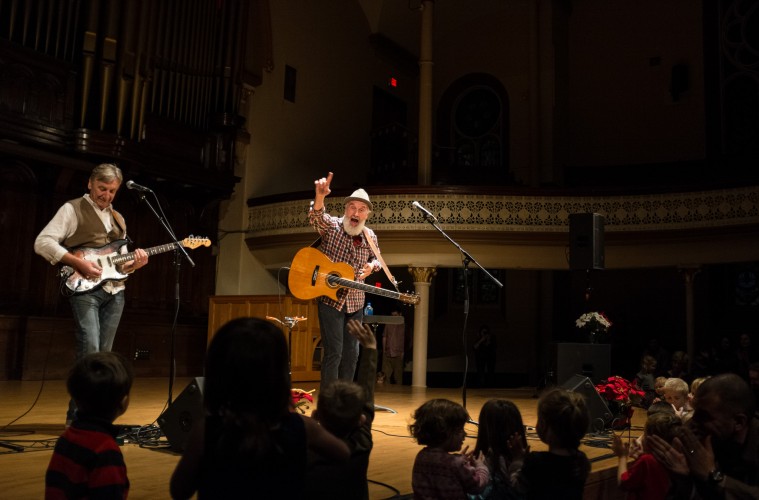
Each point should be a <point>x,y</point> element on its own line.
<point>340,348</point>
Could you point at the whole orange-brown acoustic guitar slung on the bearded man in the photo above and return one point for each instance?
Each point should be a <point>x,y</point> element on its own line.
<point>313,274</point>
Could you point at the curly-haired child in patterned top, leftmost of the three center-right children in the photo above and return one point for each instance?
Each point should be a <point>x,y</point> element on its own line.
<point>439,473</point>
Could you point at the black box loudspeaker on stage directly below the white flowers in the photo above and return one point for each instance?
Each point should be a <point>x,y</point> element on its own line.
<point>589,360</point>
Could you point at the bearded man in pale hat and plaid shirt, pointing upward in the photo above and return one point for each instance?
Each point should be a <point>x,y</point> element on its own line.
<point>343,239</point>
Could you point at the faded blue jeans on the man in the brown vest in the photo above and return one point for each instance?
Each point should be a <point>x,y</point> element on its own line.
<point>96,315</point>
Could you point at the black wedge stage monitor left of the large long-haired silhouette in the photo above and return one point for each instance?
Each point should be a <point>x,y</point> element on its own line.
<point>183,414</point>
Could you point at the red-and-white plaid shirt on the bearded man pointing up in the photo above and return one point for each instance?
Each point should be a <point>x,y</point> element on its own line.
<point>339,246</point>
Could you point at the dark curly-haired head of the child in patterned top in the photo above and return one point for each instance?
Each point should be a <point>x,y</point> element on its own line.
<point>436,420</point>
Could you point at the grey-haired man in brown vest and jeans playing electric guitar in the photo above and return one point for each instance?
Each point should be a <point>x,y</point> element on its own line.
<point>91,221</point>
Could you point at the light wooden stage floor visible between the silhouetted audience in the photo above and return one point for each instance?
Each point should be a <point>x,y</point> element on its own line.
<point>32,415</point>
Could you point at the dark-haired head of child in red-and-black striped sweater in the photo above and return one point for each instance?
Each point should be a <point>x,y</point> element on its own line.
<point>98,382</point>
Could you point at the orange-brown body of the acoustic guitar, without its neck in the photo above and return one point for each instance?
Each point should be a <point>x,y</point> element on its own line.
<point>308,274</point>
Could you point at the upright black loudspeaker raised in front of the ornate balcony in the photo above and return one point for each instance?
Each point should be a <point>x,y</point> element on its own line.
<point>586,241</point>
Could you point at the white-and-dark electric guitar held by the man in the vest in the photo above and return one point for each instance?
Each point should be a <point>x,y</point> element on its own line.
<point>108,257</point>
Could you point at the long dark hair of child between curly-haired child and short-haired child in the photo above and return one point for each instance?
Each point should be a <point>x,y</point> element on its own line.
<point>499,420</point>
